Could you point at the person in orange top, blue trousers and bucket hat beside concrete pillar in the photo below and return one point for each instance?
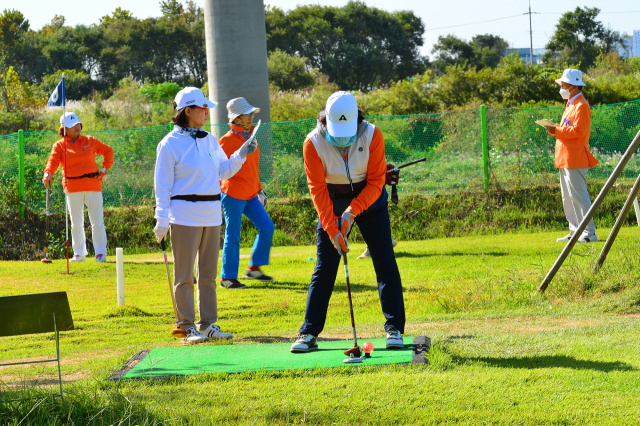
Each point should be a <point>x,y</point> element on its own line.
<point>242,194</point>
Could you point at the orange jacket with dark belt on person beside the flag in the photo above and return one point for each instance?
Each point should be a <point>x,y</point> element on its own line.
<point>81,160</point>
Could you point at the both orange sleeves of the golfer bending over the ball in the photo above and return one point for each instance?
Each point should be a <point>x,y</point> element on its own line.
<point>376,174</point>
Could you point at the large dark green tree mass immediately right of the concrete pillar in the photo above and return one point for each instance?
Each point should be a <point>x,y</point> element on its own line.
<point>356,46</point>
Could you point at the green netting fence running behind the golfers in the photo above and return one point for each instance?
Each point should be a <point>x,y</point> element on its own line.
<point>519,154</point>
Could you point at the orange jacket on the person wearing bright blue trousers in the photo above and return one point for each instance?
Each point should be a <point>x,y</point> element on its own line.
<point>245,184</point>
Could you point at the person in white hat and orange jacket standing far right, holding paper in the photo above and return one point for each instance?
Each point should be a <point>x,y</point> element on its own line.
<point>572,157</point>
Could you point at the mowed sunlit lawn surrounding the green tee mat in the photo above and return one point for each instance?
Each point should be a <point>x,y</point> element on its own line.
<point>502,353</point>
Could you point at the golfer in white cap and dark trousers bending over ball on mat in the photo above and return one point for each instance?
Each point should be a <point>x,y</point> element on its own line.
<point>344,158</point>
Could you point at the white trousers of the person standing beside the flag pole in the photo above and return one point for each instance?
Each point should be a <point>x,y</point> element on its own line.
<point>93,201</point>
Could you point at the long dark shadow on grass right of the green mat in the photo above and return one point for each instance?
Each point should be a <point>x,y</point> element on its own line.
<point>552,361</point>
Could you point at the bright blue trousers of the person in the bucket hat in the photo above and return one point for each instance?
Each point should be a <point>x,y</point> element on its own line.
<point>255,212</point>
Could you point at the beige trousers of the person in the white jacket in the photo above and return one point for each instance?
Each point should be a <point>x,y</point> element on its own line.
<point>191,243</point>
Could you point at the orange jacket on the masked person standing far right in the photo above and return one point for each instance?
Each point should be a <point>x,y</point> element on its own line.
<point>572,137</point>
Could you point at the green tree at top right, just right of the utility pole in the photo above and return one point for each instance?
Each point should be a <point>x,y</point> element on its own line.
<point>579,39</point>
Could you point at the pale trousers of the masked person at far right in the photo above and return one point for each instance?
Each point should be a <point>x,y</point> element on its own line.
<point>575,199</point>
